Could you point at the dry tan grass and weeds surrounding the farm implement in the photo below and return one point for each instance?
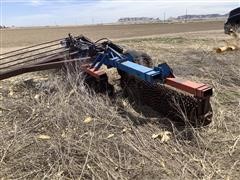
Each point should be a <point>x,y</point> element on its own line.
<point>50,127</point>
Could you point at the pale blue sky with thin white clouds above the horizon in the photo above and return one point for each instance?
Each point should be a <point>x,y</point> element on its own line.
<point>75,12</point>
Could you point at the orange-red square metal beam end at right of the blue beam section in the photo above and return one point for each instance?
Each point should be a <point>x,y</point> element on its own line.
<point>197,89</point>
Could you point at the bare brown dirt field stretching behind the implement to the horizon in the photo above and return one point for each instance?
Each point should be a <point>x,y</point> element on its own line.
<point>25,37</point>
